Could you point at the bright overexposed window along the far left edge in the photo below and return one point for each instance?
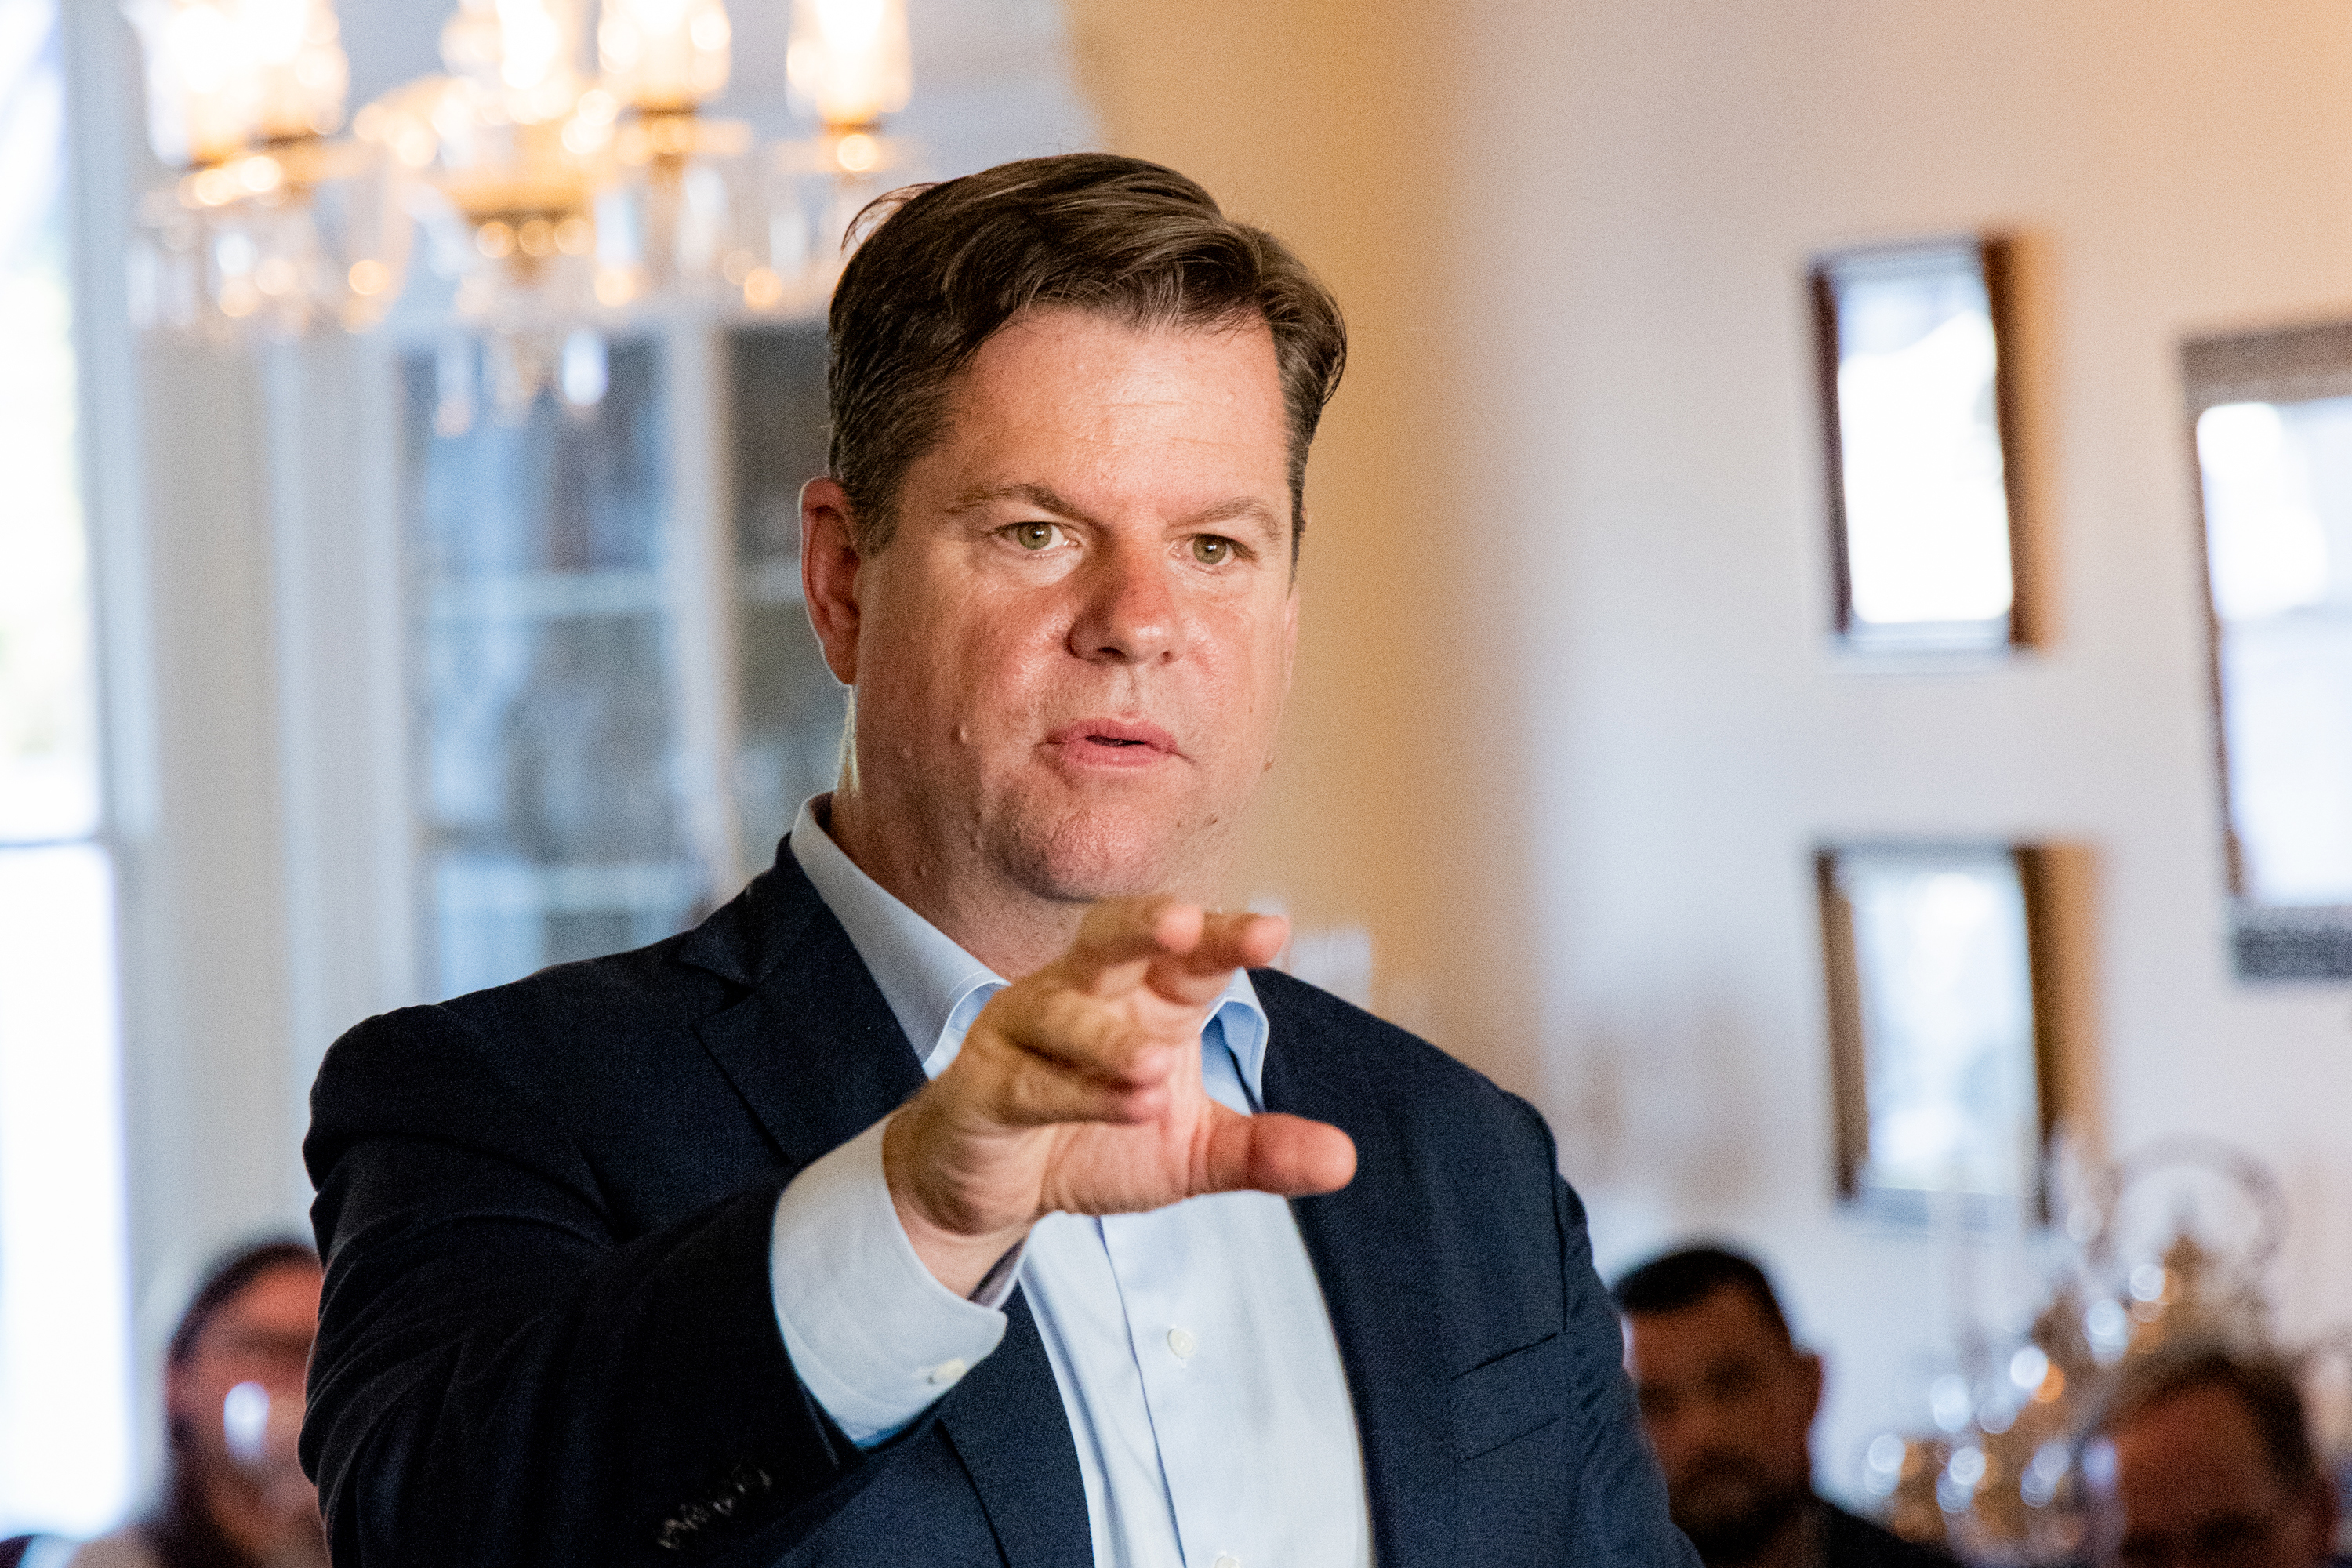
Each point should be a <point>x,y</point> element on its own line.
<point>65,1311</point>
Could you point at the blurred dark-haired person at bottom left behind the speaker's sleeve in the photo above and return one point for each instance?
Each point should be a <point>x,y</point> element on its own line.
<point>234,1393</point>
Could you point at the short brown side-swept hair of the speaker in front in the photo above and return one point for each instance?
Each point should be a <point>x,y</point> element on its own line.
<point>944,267</point>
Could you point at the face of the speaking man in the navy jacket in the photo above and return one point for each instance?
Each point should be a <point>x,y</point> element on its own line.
<point>1071,657</point>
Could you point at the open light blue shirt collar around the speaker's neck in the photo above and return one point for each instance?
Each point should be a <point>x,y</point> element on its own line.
<point>935,989</point>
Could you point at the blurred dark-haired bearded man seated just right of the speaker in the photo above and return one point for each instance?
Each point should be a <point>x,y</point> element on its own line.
<point>1730,1407</point>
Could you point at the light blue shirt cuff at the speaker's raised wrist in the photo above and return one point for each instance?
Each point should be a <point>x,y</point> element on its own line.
<point>874,1336</point>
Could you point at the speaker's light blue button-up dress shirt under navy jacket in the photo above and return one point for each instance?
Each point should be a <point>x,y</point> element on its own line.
<point>1191,1346</point>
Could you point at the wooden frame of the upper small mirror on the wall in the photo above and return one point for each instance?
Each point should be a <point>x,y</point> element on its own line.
<point>1967,262</point>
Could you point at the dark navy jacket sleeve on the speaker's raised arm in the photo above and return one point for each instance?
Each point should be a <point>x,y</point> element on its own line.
<point>500,1379</point>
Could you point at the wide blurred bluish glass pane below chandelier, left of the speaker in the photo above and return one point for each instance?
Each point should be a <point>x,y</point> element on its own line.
<point>547,619</point>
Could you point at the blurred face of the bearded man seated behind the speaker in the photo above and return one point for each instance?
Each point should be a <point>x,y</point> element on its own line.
<point>1728,1405</point>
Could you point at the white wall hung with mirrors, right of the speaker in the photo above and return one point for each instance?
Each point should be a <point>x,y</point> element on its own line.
<point>2172,170</point>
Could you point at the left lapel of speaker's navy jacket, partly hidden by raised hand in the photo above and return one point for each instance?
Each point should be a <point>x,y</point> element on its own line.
<point>817,1057</point>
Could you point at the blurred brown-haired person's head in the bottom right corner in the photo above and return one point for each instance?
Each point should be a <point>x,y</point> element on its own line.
<point>2203,1456</point>
